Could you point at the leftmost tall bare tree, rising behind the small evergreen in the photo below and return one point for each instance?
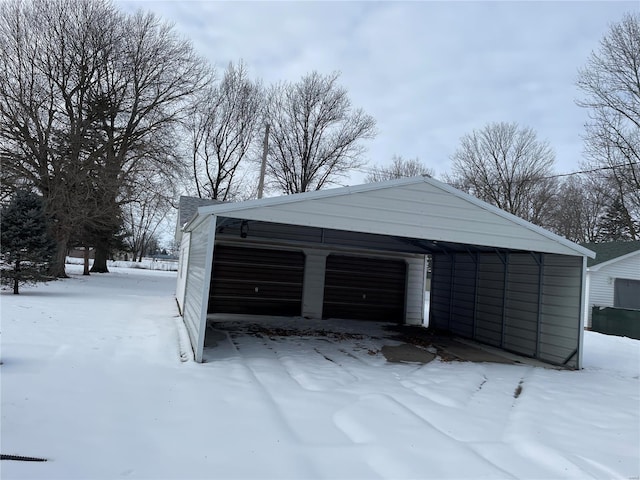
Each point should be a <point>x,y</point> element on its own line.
<point>46,69</point>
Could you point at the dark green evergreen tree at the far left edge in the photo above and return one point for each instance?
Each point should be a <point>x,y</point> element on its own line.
<point>26,248</point>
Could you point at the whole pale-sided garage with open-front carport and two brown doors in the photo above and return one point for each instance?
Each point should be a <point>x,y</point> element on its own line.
<point>361,253</point>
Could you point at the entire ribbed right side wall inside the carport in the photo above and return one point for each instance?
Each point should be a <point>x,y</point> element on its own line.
<point>526,303</point>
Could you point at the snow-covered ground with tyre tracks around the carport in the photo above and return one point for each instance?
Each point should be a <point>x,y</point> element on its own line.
<point>92,381</point>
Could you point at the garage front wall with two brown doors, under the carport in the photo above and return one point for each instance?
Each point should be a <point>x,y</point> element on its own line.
<point>271,278</point>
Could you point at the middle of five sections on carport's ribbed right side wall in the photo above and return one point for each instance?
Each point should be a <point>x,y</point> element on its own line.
<point>490,299</point>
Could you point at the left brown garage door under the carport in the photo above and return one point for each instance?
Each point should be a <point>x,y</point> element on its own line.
<point>256,281</point>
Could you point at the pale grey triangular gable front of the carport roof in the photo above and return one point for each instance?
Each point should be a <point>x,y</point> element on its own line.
<point>416,207</point>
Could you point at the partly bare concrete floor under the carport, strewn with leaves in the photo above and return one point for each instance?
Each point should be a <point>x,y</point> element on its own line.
<point>387,341</point>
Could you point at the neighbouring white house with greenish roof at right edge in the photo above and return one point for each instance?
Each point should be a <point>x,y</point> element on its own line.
<point>613,277</point>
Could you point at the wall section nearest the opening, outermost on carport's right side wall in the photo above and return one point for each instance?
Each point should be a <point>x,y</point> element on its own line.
<point>561,325</point>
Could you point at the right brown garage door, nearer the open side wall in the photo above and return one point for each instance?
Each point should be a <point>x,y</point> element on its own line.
<point>364,288</point>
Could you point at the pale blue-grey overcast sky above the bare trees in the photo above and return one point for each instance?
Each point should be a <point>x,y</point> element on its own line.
<point>428,72</point>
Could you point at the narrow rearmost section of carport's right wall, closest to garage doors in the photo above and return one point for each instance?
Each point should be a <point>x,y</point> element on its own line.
<point>441,276</point>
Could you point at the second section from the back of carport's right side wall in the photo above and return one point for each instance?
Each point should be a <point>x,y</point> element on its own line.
<point>463,295</point>
